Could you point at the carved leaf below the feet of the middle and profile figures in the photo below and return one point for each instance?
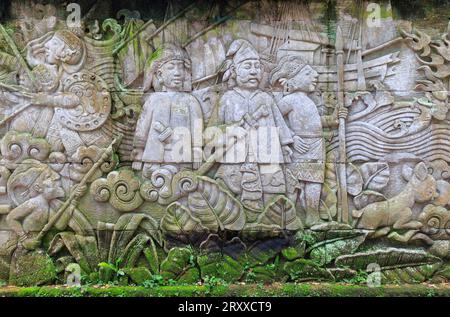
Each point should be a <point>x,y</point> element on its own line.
<point>281,212</point>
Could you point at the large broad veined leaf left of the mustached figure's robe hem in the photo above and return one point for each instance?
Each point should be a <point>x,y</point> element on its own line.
<point>216,208</point>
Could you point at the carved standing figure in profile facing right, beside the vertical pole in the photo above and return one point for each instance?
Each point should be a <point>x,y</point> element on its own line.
<point>303,118</point>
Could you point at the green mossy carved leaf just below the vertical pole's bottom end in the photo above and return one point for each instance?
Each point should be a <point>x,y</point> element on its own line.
<point>326,251</point>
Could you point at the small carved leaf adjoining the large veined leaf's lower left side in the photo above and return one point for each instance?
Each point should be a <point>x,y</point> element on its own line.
<point>178,220</point>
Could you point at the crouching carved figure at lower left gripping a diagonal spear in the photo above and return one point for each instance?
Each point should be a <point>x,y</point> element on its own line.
<point>36,189</point>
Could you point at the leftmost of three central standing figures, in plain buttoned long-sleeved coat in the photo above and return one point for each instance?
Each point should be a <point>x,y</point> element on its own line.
<point>169,129</point>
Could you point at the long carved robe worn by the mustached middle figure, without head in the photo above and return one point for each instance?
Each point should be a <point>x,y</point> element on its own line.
<point>259,170</point>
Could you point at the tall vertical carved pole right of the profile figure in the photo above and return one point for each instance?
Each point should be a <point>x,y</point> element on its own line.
<point>343,214</point>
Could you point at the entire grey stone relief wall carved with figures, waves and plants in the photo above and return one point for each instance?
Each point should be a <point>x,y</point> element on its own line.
<point>246,140</point>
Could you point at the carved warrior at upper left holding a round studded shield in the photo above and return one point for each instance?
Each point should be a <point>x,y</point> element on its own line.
<point>82,102</point>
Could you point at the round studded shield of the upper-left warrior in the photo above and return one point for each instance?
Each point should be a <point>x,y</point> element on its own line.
<point>95,102</point>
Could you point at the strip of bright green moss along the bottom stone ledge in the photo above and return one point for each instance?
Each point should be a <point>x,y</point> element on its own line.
<point>249,290</point>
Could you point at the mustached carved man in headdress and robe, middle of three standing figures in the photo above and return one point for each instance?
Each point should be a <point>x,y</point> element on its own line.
<point>256,172</point>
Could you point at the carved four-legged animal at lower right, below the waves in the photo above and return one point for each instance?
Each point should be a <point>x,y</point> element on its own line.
<point>395,213</point>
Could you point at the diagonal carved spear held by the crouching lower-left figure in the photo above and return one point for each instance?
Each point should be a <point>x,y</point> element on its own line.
<point>72,200</point>
